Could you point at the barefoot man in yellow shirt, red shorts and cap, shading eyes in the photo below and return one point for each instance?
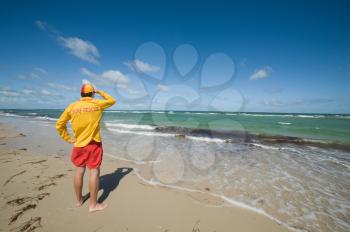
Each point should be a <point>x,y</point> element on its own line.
<point>85,116</point>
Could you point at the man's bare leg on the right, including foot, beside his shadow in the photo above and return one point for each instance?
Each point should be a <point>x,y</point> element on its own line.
<point>94,187</point>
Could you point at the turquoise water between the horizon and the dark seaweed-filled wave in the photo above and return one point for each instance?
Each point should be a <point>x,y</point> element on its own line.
<point>323,127</point>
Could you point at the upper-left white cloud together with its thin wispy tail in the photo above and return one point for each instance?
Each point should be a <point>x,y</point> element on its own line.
<point>78,47</point>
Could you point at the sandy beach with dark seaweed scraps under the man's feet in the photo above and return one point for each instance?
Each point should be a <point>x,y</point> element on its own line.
<point>37,195</point>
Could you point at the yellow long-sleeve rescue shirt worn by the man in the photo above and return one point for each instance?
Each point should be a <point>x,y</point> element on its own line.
<point>85,116</point>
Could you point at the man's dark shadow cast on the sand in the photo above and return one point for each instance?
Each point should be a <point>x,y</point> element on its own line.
<point>109,183</point>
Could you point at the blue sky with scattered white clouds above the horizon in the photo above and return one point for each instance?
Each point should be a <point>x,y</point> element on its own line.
<point>262,56</point>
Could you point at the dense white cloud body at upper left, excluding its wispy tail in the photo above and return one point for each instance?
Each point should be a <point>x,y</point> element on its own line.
<point>82,49</point>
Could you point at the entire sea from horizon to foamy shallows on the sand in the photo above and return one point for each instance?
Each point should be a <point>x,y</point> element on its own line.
<point>291,167</point>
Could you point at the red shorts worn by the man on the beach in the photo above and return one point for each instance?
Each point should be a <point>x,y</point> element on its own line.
<point>90,155</point>
